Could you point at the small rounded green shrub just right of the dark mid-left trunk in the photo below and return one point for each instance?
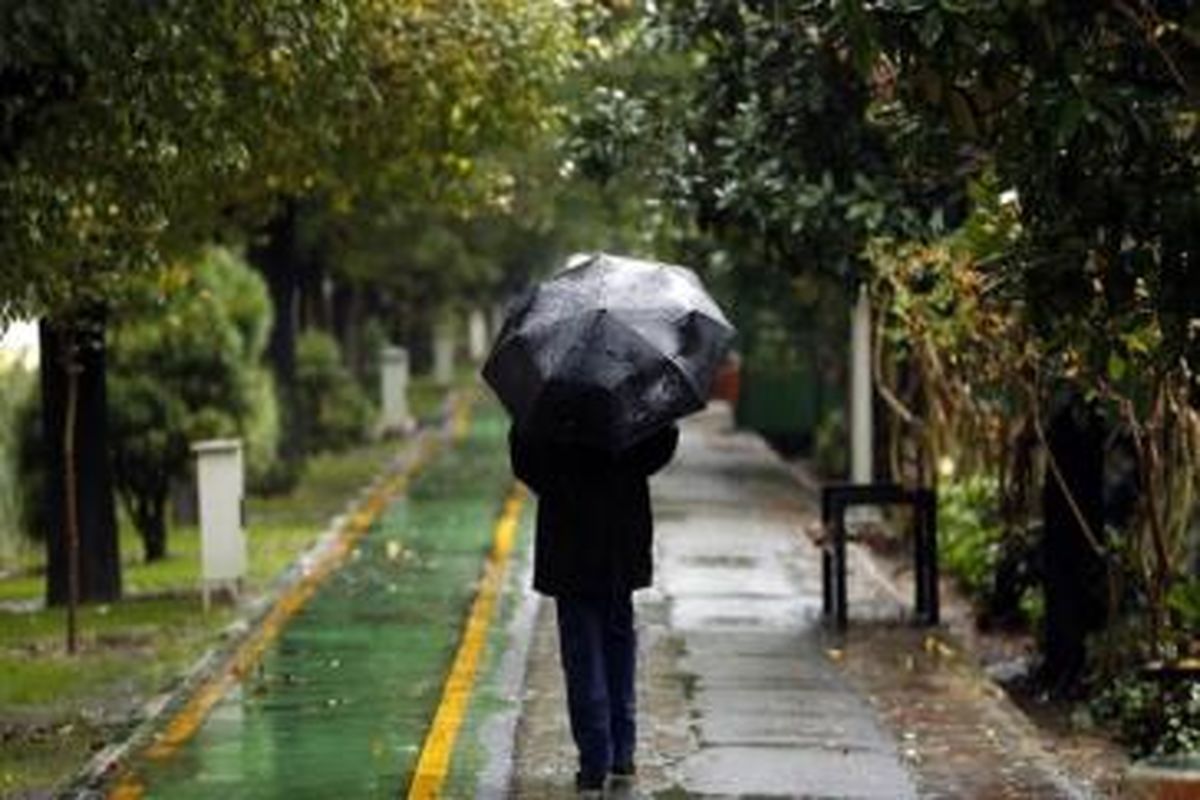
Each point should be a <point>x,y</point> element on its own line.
<point>335,412</point>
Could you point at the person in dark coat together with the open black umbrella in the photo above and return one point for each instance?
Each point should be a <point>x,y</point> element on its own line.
<point>595,366</point>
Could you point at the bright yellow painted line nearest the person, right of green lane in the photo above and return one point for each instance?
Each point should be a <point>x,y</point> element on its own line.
<point>435,762</point>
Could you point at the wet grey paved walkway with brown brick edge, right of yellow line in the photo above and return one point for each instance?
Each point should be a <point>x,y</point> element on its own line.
<point>742,691</point>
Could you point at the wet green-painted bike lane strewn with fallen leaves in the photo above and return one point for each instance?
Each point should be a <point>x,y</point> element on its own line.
<point>340,702</point>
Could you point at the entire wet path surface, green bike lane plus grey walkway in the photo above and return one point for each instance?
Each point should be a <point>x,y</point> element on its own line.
<point>742,691</point>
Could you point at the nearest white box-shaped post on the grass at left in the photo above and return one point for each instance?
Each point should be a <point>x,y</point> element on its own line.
<point>220,486</point>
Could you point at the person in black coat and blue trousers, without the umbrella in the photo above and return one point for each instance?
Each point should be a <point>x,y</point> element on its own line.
<point>592,551</point>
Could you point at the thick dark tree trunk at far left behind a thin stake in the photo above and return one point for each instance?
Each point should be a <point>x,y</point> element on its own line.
<point>100,574</point>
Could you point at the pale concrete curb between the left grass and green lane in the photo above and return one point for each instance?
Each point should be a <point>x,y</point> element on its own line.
<point>91,781</point>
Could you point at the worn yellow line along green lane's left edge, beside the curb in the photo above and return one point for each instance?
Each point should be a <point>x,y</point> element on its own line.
<point>190,719</point>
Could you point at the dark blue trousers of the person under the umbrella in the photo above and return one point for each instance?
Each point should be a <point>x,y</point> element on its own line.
<point>599,654</point>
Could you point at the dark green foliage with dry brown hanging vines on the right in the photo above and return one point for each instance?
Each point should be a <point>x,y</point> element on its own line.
<point>1018,184</point>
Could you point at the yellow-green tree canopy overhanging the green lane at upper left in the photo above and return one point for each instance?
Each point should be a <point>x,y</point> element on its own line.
<point>133,130</point>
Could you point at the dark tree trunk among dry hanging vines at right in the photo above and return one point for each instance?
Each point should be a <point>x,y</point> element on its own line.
<point>1075,574</point>
